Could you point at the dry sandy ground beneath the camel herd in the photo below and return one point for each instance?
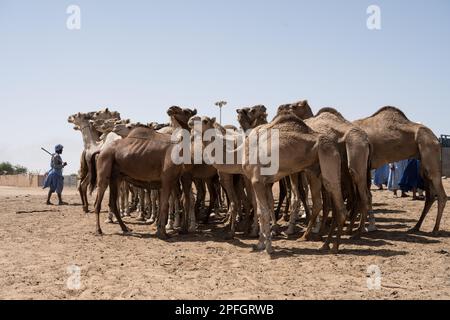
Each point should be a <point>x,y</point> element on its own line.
<point>37,248</point>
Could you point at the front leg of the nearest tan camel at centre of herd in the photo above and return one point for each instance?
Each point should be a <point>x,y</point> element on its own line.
<point>263,209</point>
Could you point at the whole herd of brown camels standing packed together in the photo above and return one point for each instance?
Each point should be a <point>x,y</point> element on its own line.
<point>323,154</point>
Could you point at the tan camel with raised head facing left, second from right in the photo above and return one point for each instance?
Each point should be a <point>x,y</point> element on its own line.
<point>355,155</point>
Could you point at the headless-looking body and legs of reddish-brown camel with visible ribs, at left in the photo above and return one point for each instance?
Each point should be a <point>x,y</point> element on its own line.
<point>144,159</point>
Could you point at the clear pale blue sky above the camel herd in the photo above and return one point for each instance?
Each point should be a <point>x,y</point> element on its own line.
<point>140,57</point>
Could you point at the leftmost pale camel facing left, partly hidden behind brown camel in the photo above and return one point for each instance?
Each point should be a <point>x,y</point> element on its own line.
<point>91,140</point>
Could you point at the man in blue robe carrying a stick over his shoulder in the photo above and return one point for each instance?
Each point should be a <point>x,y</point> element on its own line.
<point>55,178</point>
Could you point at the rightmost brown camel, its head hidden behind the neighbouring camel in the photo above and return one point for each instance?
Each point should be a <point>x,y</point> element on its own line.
<point>393,137</point>
